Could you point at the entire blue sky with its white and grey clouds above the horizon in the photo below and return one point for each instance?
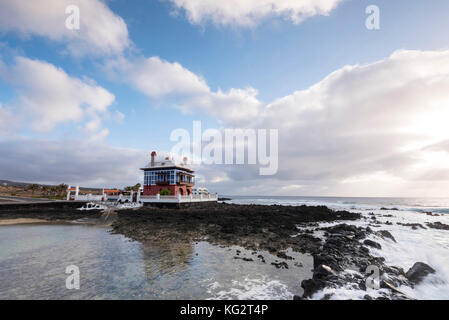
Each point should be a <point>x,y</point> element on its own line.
<point>358,111</point>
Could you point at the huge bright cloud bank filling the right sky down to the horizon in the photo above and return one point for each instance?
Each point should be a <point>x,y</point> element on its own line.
<point>360,129</point>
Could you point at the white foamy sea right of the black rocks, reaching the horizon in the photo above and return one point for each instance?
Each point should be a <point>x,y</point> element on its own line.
<point>428,245</point>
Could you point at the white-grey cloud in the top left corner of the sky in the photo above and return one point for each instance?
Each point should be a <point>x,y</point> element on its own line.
<point>101,31</point>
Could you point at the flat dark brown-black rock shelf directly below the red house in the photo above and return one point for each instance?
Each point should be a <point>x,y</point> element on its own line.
<point>255,227</point>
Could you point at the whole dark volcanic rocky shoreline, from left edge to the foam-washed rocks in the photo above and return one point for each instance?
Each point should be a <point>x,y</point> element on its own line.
<point>273,228</point>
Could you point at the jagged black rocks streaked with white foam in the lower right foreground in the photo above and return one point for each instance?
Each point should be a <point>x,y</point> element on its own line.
<point>345,249</point>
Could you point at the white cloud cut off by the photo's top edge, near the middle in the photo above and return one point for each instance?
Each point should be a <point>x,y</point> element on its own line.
<point>249,13</point>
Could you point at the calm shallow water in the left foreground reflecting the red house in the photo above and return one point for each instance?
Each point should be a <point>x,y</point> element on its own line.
<point>33,260</point>
